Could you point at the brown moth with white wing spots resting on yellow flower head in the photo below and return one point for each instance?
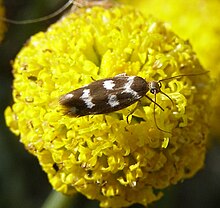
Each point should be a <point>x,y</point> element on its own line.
<point>112,94</point>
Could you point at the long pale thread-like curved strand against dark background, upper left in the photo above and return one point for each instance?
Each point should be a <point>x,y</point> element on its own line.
<point>41,19</point>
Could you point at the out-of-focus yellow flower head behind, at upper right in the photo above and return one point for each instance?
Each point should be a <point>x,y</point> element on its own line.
<point>198,21</point>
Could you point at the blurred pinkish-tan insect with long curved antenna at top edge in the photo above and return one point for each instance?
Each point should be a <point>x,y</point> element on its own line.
<point>76,4</point>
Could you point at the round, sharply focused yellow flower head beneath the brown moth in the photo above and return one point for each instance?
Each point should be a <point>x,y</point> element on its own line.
<point>103,156</point>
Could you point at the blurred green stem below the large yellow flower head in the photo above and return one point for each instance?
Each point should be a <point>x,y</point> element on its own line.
<point>58,200</point>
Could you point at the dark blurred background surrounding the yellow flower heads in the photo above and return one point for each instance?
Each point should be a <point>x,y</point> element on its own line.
<point>22,182</point>
